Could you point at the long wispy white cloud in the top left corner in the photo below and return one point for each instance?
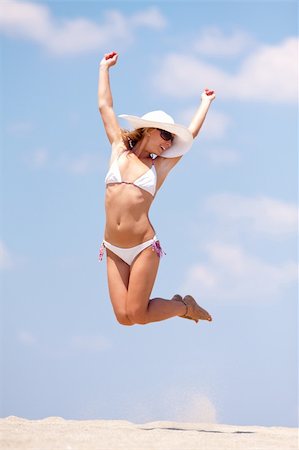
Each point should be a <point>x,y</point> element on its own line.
<point>35,22</point>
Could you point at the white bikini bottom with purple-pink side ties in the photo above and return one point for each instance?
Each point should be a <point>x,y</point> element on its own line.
<point>129,254</point>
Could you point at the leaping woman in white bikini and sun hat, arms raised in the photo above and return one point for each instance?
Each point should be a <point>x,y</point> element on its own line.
<point>134,177</point>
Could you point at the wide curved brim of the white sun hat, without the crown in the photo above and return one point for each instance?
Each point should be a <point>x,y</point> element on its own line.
<point>182,141</point>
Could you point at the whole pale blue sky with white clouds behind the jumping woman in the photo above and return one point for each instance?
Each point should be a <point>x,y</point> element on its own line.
<point>226,216</point>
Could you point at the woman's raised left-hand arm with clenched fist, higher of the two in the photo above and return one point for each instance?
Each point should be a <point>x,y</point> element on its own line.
<point>105,101</point>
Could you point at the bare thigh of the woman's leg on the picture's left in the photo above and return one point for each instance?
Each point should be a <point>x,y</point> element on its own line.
<point>118,279</point>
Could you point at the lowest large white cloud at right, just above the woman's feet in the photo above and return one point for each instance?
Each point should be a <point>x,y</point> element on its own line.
<point>230,275</point>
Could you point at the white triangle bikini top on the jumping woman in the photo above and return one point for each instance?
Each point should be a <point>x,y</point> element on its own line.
<point>147,181</point>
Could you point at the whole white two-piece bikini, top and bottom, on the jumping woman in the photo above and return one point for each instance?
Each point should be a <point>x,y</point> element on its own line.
<point>147,182</point>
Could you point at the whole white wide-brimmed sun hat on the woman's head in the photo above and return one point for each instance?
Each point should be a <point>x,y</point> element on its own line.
<point>183,138</point>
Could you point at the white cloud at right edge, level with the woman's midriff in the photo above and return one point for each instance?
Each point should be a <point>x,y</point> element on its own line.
<point>261,214</point>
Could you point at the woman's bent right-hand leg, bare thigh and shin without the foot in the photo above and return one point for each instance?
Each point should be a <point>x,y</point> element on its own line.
<point>140,309</point>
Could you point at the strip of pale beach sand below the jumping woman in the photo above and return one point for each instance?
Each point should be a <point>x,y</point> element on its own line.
<point>55,433</point>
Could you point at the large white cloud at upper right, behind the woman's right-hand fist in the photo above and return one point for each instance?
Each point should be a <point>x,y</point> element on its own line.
<point>268,74</point>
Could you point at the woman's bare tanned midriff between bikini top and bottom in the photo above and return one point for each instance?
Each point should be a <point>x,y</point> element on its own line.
<point>129,225</point>
